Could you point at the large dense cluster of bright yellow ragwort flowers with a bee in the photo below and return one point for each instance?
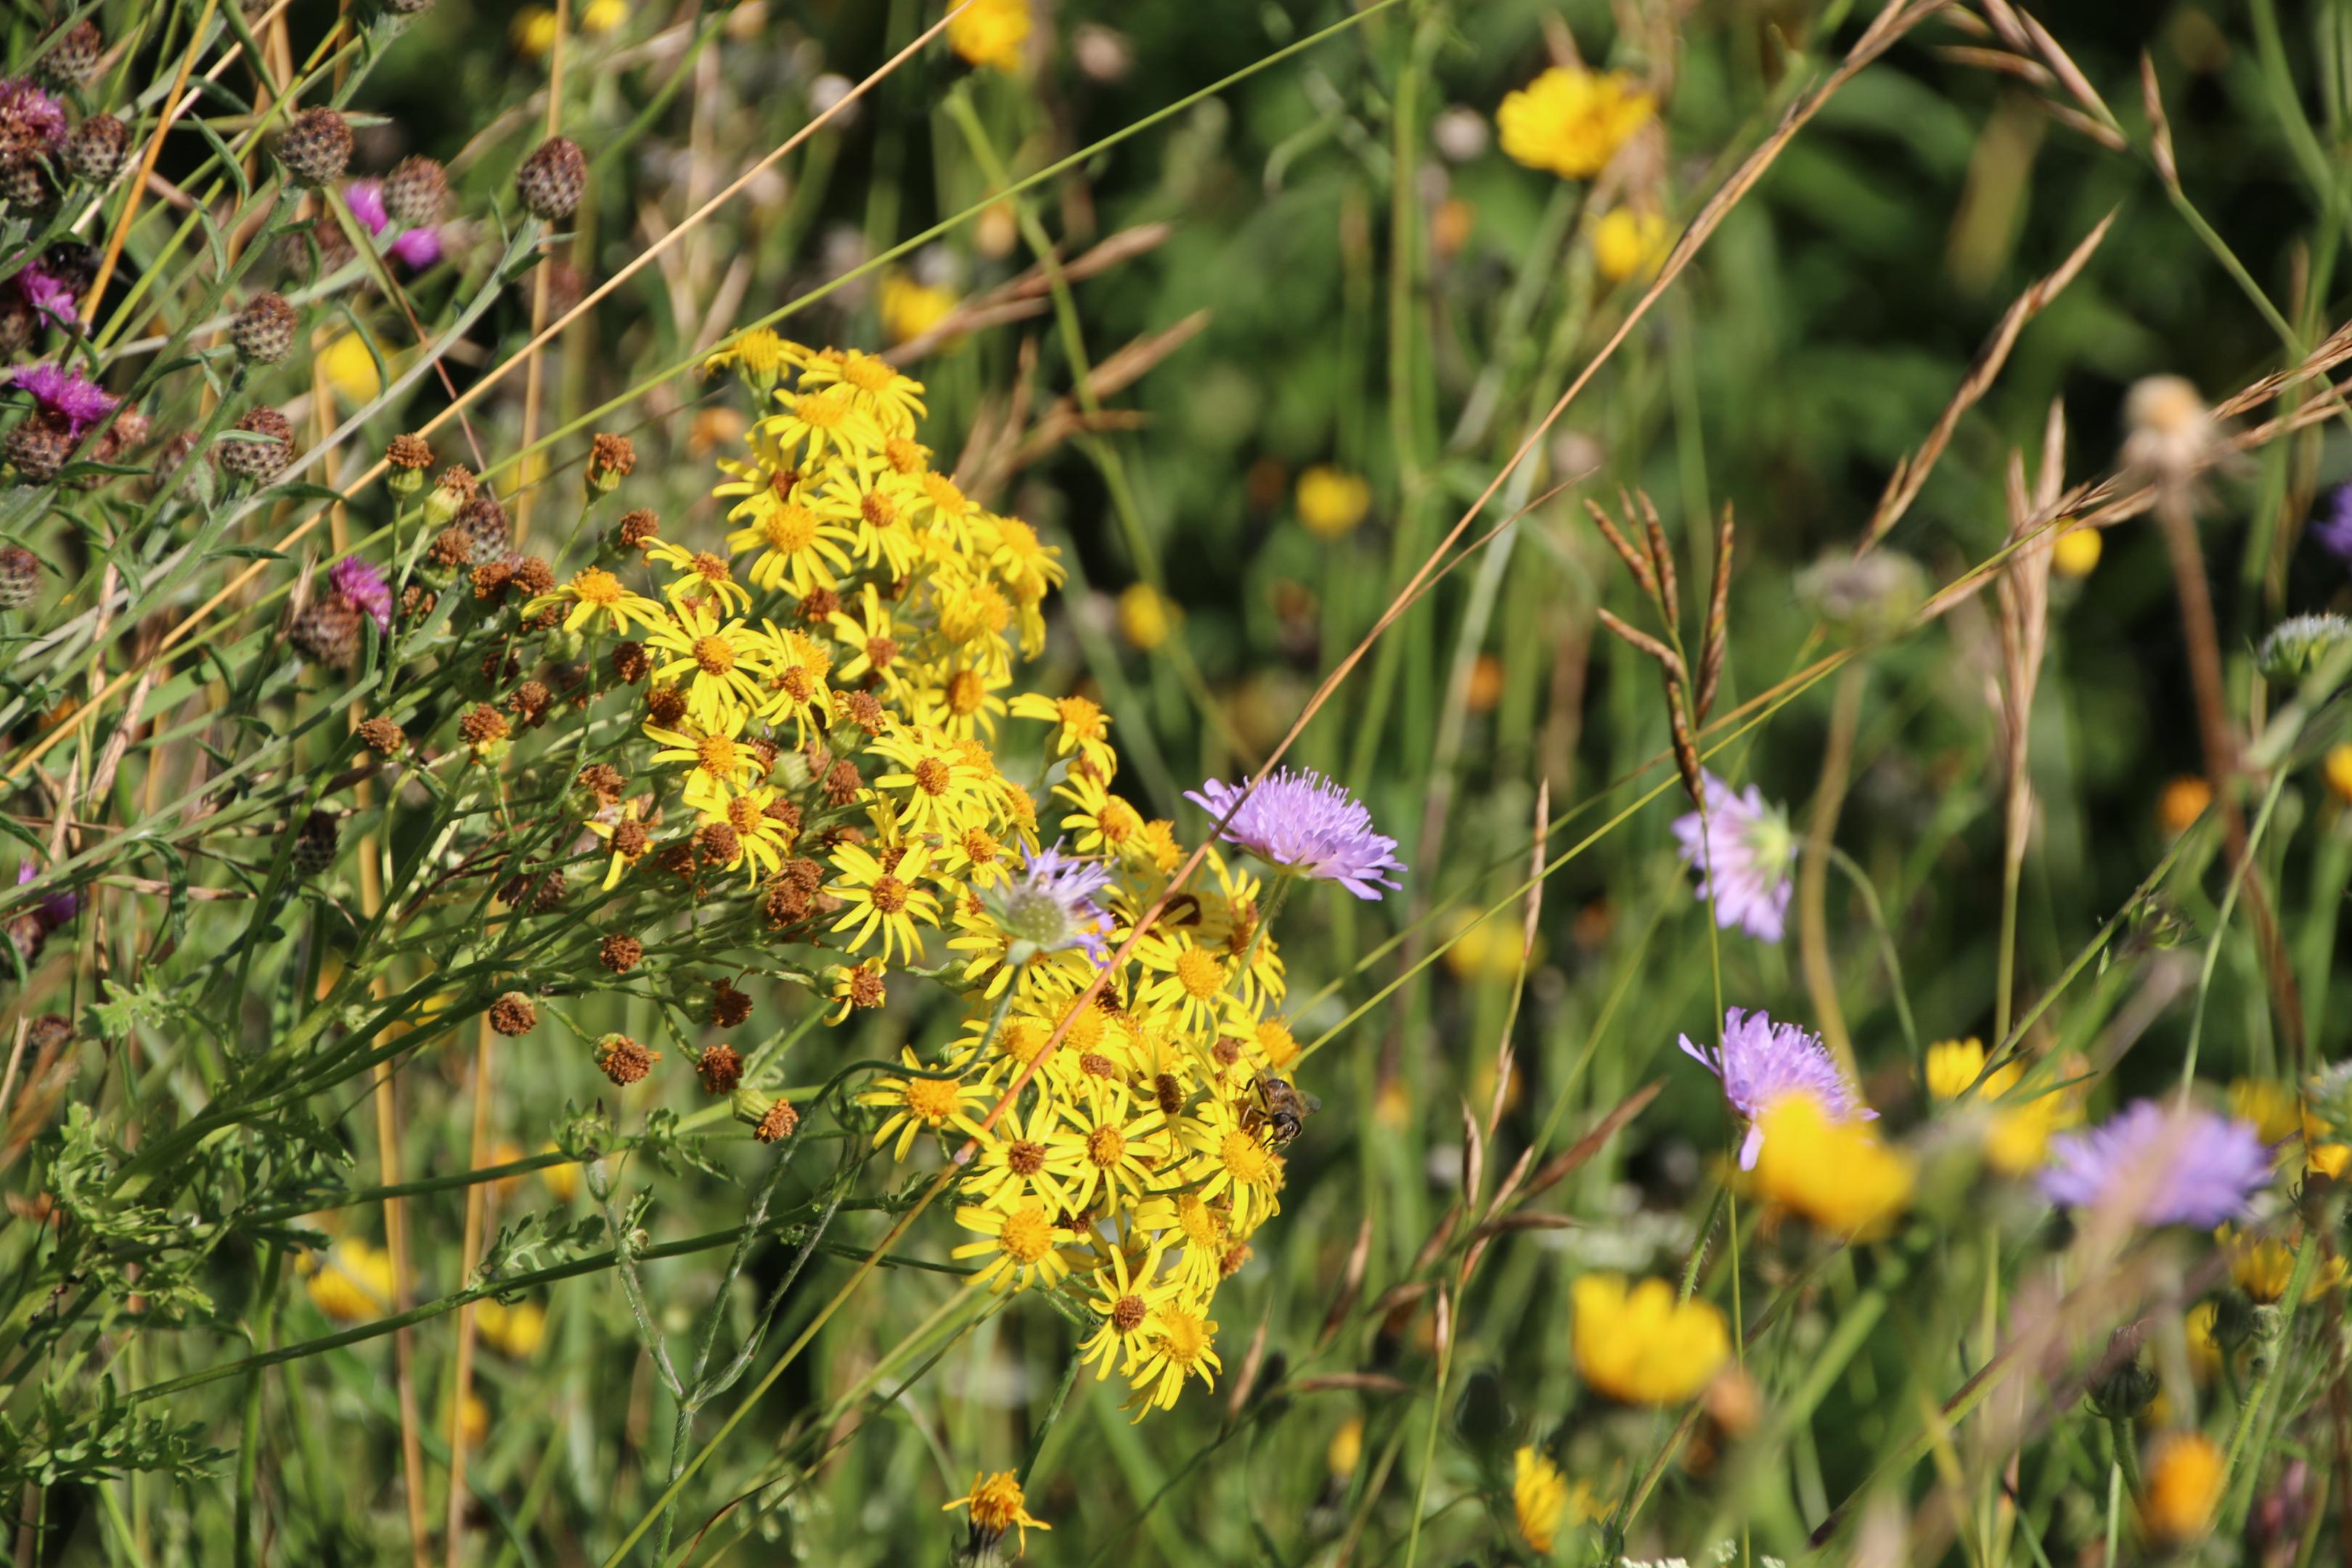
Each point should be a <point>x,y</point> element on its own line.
<point>827,699</point>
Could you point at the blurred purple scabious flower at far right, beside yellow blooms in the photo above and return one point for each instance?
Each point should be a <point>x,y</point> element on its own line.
<point>2160,1165</point>
